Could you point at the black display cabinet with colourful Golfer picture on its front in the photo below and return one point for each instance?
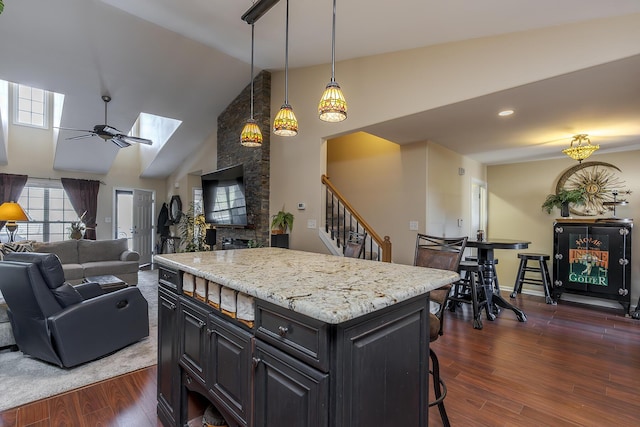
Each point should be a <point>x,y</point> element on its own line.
<point>593,258</point>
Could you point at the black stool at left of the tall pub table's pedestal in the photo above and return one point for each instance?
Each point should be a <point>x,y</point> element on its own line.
<point>466,290</point>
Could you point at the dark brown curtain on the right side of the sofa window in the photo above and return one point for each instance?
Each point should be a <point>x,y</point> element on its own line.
<point>83,195</point>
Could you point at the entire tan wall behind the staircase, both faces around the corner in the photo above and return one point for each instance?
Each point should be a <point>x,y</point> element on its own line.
<point>391,185</point>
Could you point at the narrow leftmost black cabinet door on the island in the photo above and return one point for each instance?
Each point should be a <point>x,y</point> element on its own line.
<point>168,372</point>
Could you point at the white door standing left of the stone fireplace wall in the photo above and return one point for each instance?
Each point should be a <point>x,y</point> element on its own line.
<point>142,228</point>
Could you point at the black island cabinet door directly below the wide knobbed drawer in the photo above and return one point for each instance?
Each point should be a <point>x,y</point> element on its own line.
<point>287,391</point>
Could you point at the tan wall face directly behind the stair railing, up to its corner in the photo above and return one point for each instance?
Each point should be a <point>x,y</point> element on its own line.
<point>385,182</point>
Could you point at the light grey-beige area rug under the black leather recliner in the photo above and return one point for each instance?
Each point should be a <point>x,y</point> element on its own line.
<point>24,379</point>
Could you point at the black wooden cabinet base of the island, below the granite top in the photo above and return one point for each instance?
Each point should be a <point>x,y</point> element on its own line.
<point>289,369</point>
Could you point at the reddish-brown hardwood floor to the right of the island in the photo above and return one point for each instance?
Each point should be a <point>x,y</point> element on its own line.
<point>568,365</point>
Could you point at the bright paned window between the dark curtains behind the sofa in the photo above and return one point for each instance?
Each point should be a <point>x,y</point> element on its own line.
<point>50,211</point>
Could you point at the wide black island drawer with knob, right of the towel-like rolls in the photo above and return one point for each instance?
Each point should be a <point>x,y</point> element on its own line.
<point>298,335</point>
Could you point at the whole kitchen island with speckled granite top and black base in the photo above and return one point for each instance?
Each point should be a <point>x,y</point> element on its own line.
<point>276,337</point>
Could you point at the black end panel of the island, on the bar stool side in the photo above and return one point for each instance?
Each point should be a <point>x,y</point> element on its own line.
<point>384,373</point>
